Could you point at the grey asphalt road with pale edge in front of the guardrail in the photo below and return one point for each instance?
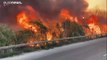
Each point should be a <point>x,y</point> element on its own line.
<point>89,50</point>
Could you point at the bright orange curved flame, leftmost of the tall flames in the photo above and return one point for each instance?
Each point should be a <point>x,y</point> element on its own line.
<point>23,20</point>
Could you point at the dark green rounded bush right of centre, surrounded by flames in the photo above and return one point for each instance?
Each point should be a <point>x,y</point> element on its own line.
<point>72,29</point>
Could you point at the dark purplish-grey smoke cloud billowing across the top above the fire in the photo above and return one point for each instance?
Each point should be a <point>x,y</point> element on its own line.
<point>46,8</point>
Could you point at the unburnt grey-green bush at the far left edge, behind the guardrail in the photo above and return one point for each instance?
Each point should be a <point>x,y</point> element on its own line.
<point>7,35</point>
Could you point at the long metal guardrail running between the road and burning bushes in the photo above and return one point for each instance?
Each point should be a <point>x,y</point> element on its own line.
<point>26,44</point>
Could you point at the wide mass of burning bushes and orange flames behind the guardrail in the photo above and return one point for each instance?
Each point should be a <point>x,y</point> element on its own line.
<point>64,25</point>
